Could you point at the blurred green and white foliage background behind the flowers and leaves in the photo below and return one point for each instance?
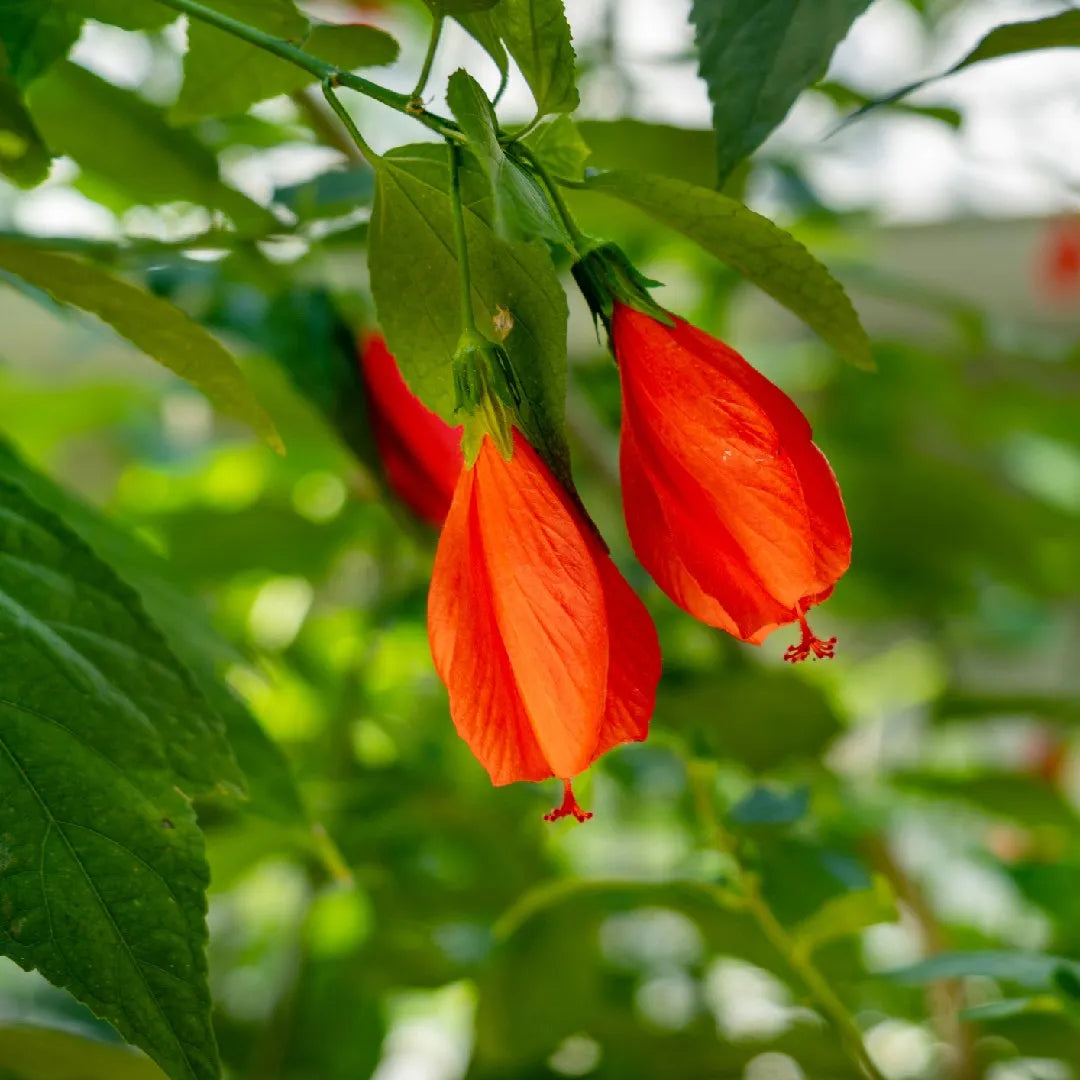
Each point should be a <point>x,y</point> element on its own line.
<point>393,915</point>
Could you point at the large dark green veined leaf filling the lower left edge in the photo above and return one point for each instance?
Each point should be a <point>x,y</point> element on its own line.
<point>103,876</point>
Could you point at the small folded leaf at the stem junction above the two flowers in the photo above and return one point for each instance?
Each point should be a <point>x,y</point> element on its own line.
<point>522,209</point>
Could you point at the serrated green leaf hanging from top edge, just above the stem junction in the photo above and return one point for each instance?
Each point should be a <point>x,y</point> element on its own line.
<point>538,37</point>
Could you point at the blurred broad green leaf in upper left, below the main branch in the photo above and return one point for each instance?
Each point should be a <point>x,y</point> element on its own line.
<point>115,134</point>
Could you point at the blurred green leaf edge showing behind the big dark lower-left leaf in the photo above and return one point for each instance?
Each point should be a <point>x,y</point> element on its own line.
<point>272,789</point>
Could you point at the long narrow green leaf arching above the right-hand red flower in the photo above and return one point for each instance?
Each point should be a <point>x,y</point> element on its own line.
<point>762,252</point>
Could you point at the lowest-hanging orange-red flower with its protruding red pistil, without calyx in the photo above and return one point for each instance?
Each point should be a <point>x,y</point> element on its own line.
<point>549,657</point>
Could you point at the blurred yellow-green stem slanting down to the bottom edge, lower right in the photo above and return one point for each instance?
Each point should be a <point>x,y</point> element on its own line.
<point>758,907</point>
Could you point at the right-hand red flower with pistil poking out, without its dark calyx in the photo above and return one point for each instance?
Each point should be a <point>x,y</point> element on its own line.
<point>730,505</point>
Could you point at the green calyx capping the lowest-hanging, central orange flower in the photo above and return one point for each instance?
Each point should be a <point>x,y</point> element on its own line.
<point>487,394</point>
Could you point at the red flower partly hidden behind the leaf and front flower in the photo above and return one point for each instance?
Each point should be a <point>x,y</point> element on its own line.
<point>421,453</point>
